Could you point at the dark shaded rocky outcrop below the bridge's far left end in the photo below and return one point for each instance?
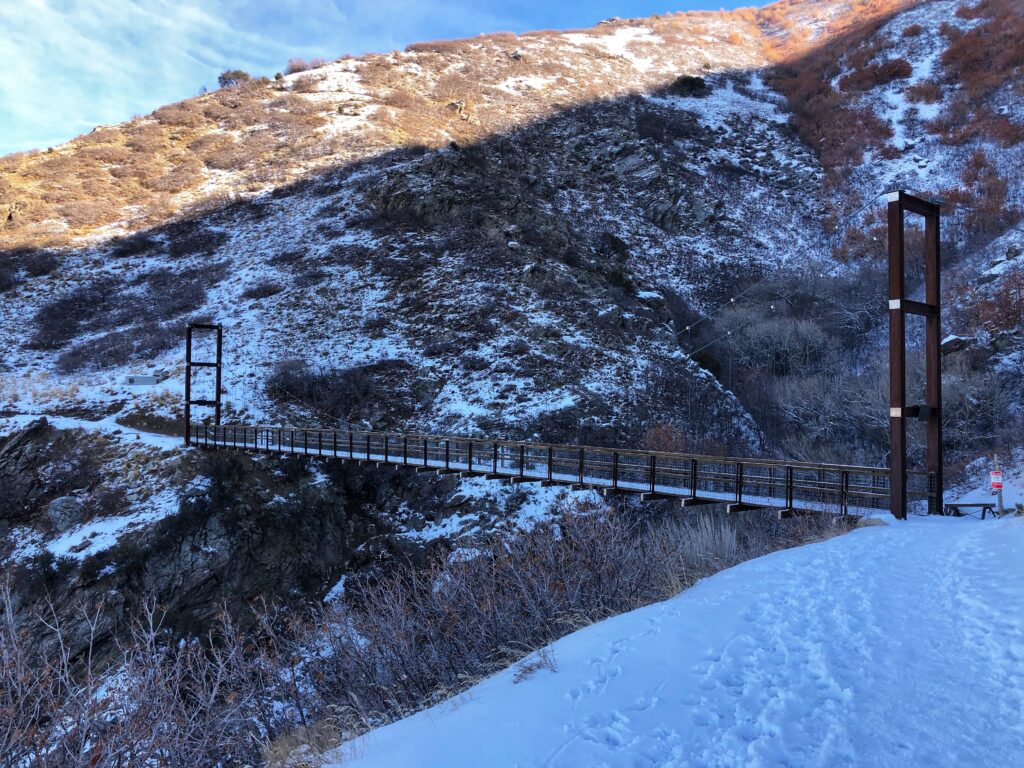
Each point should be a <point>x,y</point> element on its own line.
<point>249,529</point>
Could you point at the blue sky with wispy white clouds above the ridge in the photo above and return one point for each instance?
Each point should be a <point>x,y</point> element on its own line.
<point>72,65</point>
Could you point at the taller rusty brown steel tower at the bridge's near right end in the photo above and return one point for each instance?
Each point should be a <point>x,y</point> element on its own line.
<point>901,203</point>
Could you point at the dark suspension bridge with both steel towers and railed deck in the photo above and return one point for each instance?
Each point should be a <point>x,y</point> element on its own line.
<point>739,484</point>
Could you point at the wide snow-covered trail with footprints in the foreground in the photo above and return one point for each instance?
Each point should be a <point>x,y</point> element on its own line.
<point>899,646</point>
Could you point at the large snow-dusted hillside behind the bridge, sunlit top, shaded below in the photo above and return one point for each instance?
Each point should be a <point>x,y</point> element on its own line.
<point>664,233</point>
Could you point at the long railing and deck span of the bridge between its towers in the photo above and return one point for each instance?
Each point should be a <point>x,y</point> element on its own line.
<point>698,478</point>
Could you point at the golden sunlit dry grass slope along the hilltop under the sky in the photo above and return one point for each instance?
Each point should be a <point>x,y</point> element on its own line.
<point>260,134</point>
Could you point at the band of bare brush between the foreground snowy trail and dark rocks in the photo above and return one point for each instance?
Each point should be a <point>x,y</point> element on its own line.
<point>300,681</point>
